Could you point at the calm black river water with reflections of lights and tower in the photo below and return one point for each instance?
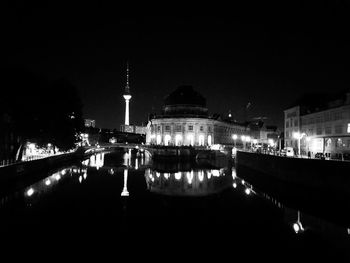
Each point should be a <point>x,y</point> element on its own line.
<point>122,203</point>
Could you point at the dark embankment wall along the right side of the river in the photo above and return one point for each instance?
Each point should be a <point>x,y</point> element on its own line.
<point>318,186</point>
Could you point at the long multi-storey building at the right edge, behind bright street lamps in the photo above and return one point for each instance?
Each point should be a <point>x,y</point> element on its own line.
<point>322,128</point>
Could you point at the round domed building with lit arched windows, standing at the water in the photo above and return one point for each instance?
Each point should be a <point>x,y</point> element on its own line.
<point>185,121</point>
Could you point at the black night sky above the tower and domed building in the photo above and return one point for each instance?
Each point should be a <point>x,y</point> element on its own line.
<point>265,55</point>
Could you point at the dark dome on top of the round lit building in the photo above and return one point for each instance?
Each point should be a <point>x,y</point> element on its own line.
<point>185,100</point>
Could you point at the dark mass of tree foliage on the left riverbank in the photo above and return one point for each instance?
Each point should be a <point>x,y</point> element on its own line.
<point>41,111</point>
